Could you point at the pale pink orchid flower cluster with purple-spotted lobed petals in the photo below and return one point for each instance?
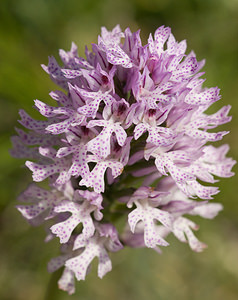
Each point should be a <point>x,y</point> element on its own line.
<point>126,140</point>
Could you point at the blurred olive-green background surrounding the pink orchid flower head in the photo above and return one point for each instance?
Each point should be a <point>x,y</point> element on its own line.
<point>30,30</point>
